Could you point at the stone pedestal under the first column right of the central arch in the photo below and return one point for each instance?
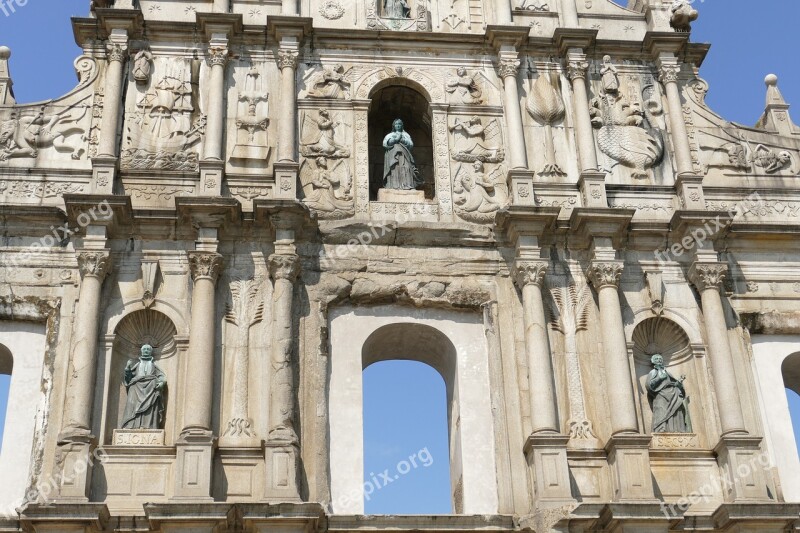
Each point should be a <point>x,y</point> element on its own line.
<point>549,471</point>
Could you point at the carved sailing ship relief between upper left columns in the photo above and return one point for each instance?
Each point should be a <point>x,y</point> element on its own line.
<point>165,124</point>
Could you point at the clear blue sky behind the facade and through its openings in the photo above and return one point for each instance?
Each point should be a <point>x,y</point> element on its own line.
<point>405,409</point>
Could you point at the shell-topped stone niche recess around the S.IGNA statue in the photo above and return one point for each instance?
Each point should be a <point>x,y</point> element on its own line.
<point>135,329</point>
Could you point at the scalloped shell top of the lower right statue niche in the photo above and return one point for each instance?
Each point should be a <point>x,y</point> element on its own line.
<point>663,336</point>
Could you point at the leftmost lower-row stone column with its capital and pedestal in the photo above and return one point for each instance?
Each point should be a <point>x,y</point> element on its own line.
<point>76,439</point>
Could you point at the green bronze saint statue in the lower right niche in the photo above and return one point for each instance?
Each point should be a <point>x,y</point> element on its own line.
<point>668,400</point>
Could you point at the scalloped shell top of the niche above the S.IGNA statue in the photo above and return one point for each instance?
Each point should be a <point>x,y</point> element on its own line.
<point>145,327</point>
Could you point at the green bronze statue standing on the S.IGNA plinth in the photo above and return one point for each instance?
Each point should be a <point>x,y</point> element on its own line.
<point>144,382</point>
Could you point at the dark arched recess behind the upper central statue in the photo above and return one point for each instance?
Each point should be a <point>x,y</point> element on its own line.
<point>409,105</point>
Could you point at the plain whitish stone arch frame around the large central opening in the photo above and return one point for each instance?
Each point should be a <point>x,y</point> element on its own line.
<point>454,344</point>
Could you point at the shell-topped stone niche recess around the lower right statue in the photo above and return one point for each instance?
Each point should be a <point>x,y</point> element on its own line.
<point>659,335</point>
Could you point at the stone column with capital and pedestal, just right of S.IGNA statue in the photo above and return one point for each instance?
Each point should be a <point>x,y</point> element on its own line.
<point>195,445</point>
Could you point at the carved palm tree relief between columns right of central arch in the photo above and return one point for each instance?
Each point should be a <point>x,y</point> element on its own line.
<point>571,315</point>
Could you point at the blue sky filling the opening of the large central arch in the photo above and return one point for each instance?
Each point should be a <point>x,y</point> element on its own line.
<point>406,456</point>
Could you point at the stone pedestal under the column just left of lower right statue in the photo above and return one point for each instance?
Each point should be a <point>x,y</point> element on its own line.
<point>629,459</point>
